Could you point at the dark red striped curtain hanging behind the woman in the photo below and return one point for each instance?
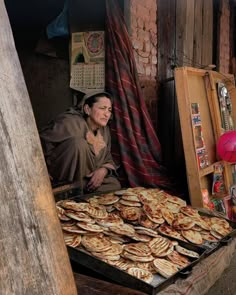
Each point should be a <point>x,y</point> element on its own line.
<point>135,143</point>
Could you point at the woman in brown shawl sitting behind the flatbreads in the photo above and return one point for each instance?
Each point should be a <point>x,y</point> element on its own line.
<point>77,145</point>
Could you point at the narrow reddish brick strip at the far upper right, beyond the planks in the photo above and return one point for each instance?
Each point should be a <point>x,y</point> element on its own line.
<point>224,37</point>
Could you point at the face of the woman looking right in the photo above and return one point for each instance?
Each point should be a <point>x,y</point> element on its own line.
<point>99,114</point>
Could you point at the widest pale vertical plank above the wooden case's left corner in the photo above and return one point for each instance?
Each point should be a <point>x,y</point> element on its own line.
<point>184,32</point>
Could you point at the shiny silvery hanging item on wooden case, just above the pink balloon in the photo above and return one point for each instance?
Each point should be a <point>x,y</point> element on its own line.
<point>225,105</point>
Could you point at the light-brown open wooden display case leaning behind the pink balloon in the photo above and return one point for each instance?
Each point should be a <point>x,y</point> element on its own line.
<point>201,126</point>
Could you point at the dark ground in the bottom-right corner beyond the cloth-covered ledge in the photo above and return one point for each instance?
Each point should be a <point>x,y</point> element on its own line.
<point>226,285</point>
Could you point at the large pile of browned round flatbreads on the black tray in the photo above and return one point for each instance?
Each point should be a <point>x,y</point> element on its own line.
<point>130,229</point>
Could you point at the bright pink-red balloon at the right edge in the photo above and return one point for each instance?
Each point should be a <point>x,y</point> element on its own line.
<point>226,146</point>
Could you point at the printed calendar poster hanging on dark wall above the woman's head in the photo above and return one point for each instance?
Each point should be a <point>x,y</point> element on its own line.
<point>88,61</point>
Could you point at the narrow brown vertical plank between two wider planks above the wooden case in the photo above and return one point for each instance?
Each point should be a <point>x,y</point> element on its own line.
<point>197,34</point>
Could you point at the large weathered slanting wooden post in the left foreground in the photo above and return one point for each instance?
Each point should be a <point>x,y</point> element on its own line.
<point>33,256</point>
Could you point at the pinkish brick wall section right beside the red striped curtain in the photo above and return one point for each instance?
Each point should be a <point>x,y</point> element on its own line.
<point>143,33</point>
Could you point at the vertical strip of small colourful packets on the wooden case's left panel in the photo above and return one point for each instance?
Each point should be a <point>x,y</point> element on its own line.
<point>201,153</point>
